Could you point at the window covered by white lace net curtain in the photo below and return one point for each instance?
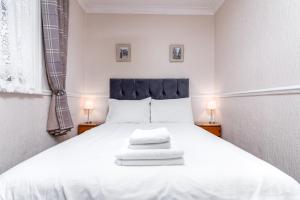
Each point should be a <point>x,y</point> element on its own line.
<point>20,46</point>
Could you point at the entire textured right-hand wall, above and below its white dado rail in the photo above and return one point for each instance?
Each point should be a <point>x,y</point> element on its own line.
<point>258,47</point>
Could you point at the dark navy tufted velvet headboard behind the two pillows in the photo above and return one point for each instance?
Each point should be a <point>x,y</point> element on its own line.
<point>135,89</point>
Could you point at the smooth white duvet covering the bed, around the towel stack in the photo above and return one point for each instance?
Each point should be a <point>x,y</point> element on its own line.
<point>84,168</point>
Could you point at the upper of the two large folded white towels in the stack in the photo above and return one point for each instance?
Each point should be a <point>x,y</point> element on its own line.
<point>157,154</point>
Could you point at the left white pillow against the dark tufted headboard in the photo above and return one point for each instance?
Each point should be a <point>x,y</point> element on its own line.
<point>128,111</point>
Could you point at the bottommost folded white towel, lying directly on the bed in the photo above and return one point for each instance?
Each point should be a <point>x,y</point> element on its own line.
<point>175,161</point>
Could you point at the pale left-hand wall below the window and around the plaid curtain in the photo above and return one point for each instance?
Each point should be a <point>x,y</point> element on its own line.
<point>23,118</point>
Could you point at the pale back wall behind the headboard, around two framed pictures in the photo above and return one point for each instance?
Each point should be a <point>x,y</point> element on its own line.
<point>150,37</point>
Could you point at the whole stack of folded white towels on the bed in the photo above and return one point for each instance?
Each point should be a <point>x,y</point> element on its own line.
<point>150,147</point>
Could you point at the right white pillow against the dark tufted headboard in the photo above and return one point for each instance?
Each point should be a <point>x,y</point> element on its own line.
<point>172,110</point>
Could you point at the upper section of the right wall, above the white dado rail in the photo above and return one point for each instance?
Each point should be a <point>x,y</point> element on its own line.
<point>257,44</point>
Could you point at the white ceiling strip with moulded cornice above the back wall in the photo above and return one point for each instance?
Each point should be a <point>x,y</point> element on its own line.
<point>168,7</point>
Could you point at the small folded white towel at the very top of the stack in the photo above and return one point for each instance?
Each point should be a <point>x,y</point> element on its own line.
<point>153,136</point>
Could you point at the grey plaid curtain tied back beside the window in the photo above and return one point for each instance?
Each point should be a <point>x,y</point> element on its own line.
<point>55,14</point>
